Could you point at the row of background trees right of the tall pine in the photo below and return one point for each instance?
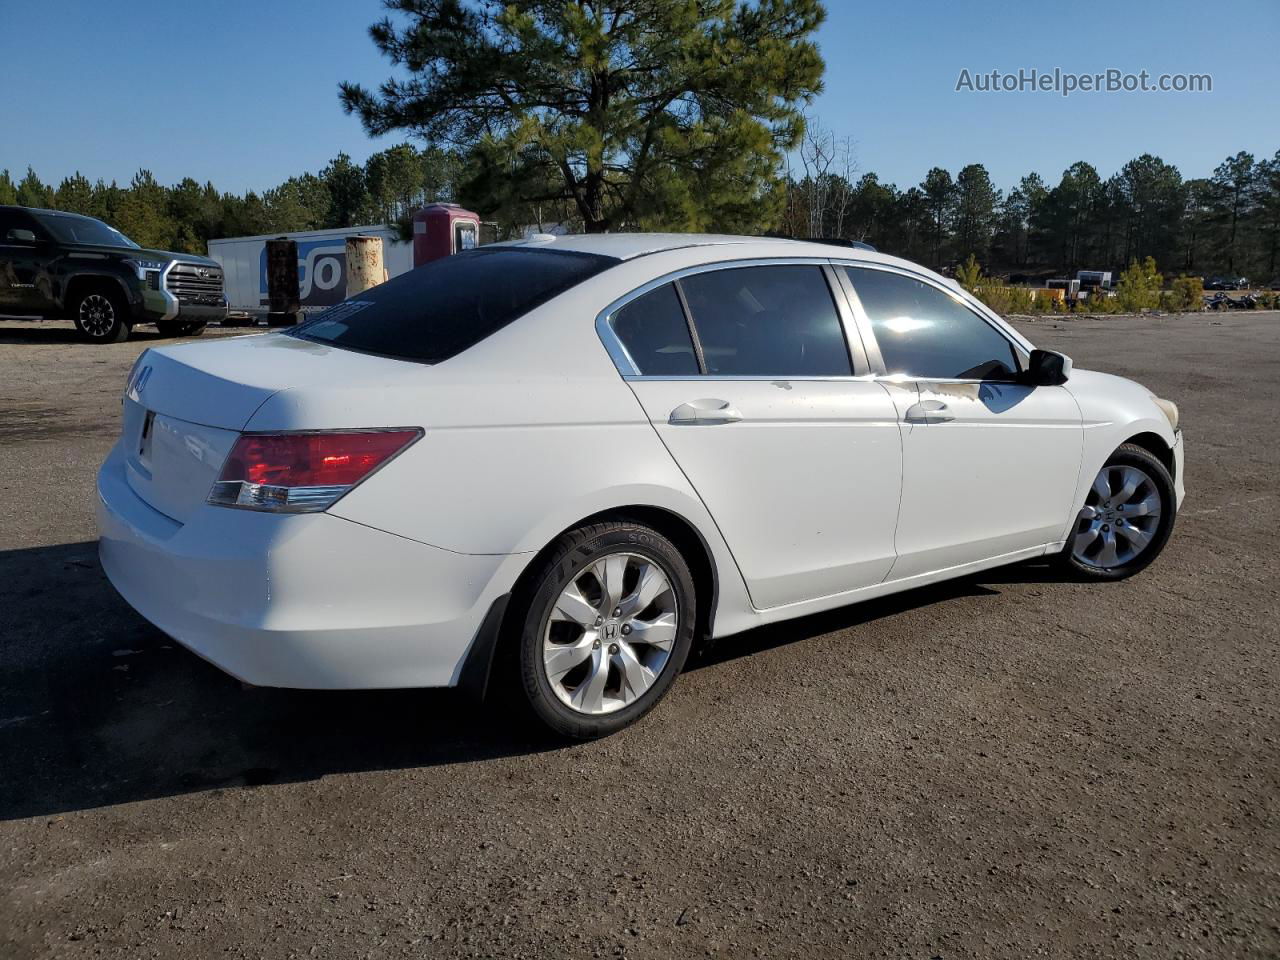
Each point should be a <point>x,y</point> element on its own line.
<point>1227,223</point>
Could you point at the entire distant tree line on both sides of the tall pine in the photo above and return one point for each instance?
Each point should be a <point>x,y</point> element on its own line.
<point>1227,223</point>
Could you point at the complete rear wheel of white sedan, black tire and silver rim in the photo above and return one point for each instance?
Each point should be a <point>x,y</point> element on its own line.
<point>582,666</point>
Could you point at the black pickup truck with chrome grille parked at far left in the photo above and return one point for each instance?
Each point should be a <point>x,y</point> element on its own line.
<point>65,266</point>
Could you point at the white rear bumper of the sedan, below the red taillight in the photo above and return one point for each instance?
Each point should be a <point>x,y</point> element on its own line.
<point>298,601</point>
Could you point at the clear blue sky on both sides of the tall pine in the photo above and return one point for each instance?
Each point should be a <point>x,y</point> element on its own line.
<point>245,94</point>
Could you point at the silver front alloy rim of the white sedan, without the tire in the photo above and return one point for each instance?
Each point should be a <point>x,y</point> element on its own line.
<point>1119,519</point>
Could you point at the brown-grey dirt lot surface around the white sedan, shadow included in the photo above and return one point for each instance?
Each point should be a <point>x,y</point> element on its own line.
<point>1003,767</point>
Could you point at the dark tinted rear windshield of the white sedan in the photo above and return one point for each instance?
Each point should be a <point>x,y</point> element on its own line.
<point>441,309</point>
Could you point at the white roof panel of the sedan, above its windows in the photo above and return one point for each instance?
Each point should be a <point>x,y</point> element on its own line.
<point>629,246</point>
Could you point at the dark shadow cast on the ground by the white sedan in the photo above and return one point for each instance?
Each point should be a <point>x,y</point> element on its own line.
<point>99,708</point>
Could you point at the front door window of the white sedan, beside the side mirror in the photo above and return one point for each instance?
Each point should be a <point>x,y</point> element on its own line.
<point>926,333</point>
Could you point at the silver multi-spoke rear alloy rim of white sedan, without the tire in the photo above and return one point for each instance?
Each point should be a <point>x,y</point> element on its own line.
<point>610,634</point>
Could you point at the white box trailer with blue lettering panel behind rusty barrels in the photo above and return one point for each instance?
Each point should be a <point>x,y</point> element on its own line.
<point>322,266</point>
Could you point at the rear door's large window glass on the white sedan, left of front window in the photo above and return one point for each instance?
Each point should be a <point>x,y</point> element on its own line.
<point>767,322</point>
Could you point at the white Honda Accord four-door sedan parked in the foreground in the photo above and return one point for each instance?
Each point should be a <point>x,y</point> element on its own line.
<point>563,461</point>
